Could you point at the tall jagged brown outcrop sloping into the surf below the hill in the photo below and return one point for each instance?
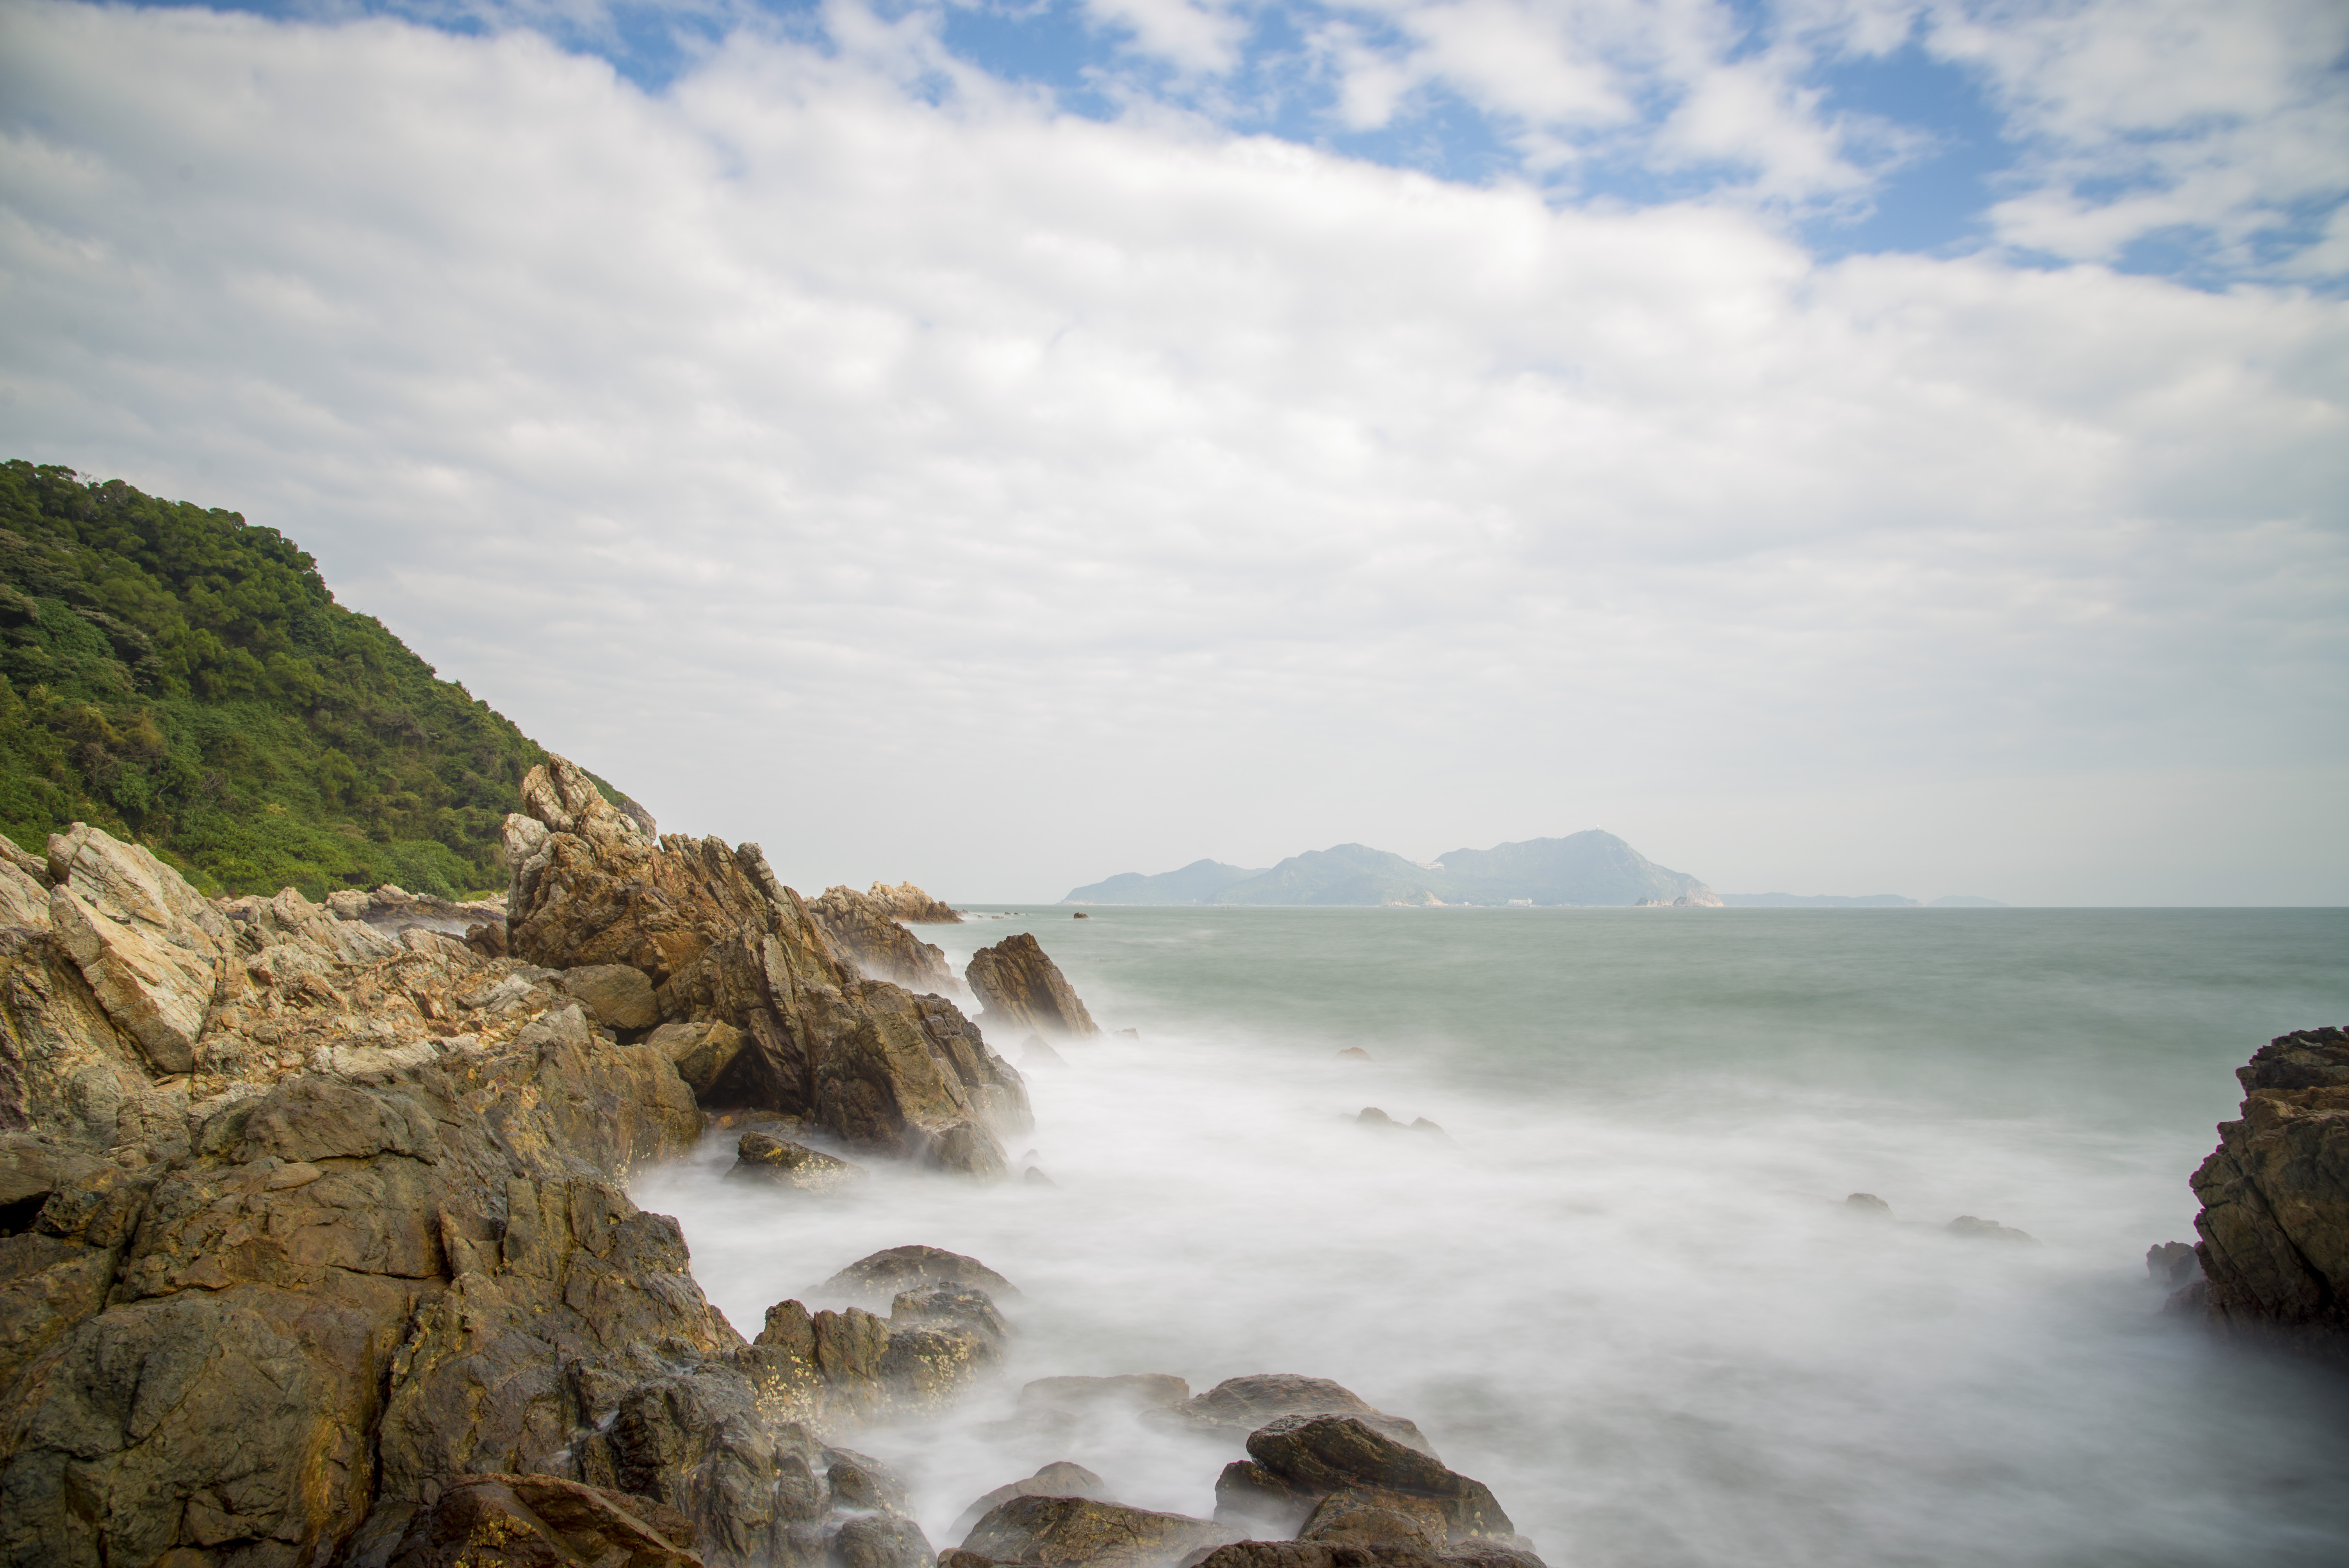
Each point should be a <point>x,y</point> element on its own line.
<point>720,940</point>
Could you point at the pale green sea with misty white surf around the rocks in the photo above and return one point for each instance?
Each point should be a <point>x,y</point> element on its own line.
<point>1622,1287</point>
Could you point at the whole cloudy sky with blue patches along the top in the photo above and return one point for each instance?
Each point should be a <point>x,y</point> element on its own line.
<point>1840,445</point>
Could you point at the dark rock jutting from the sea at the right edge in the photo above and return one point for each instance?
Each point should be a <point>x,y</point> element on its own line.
<point>2275,1222</point>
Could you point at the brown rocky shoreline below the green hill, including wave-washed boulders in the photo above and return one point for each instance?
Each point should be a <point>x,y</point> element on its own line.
<point>316,1243</point>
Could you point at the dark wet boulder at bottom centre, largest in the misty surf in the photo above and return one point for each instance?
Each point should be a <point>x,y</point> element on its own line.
<point>1300,1461</point>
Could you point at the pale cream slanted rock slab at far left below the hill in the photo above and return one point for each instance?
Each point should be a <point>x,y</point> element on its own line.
<point>147,942</point>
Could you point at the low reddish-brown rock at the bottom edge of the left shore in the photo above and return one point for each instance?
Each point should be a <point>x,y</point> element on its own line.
<point>490,1522</point>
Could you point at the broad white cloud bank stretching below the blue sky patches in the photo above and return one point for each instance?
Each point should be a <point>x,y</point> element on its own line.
<point>1002,499</point>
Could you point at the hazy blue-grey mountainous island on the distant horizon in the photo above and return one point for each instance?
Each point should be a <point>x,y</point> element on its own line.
<point>1591,867</point>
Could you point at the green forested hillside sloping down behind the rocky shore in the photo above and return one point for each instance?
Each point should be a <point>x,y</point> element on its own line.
<point>180,677</point>
